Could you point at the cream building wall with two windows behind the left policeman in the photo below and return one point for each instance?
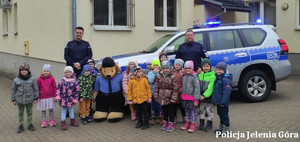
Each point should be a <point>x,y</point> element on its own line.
<point>48,27</point>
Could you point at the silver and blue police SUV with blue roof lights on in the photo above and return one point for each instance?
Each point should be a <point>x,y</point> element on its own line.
<point>256,57</point>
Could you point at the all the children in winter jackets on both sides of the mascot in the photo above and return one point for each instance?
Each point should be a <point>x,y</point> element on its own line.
<point>162,87</point>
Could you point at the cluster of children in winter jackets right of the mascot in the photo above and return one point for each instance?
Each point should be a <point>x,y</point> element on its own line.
<point>178,86</point>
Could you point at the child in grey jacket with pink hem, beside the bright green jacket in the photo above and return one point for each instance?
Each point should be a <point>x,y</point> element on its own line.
<point>190,96</point>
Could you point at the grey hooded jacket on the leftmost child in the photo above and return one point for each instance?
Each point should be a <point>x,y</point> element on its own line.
<point>24,91</point>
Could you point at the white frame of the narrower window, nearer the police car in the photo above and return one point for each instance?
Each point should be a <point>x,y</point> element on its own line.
<point>165,17</point>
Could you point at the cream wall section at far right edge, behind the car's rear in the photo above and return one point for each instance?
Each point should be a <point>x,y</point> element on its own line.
<point>286,25</point>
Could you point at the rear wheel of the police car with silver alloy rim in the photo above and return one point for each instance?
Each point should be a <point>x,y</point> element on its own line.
<point>255,86</point>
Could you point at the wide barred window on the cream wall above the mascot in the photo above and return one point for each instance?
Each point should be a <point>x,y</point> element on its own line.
<point>113,14</point>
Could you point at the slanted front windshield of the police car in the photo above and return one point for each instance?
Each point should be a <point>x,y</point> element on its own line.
<point>157,44</point>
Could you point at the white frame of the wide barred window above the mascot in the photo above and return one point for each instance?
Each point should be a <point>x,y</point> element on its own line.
<point>111,25</point>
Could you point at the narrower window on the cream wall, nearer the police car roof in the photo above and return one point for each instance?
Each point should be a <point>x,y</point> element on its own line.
<point>165,12</point>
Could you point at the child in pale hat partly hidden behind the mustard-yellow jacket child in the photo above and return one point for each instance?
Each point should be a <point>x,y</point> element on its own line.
<point>126,78</point>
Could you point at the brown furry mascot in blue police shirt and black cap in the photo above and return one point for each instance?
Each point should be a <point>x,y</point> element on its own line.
<point>108,92</point>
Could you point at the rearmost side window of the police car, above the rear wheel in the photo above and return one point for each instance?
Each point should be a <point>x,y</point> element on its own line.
<point>253,37</point>
